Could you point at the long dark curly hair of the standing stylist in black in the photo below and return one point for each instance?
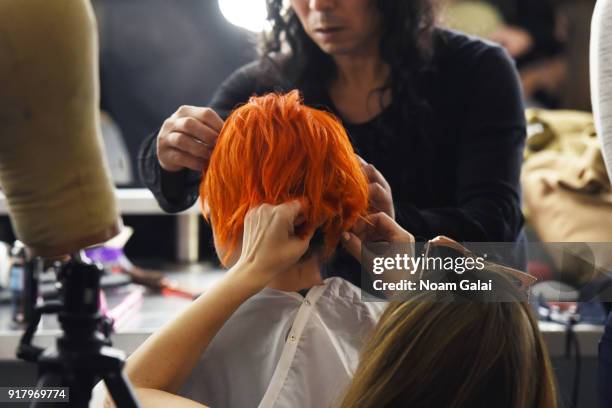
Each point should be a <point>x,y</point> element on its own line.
<point>406,46</point>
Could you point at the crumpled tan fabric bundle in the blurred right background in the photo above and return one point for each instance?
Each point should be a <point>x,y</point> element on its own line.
<point>567,194</point>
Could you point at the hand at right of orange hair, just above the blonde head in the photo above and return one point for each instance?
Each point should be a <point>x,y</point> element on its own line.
<point>375,228</point>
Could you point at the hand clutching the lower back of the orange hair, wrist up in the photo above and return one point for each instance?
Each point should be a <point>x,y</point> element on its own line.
<point>269,243</point>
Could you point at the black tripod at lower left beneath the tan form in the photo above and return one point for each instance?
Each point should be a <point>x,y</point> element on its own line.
<point>83,355</point>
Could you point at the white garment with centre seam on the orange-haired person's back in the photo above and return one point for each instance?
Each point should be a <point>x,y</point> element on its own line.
<point>280,349</point>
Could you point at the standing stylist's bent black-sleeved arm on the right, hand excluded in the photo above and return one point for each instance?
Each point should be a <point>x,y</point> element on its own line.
<point>489,158</point>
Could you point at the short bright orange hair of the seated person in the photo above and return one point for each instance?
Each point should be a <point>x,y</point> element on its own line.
<point>275,149</point>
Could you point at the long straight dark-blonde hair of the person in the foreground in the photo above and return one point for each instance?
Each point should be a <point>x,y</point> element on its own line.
<point>432,351</point>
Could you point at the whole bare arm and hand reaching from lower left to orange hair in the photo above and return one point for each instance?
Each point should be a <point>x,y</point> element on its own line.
<point>165,360</point>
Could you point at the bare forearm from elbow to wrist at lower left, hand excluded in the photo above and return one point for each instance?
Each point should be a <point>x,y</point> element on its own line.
<point>165,360</point>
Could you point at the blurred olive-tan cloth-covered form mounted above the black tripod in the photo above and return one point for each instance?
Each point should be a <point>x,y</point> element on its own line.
<point>51,165</point>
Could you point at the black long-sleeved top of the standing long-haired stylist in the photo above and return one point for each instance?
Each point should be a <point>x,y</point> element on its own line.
<point>466,186</point>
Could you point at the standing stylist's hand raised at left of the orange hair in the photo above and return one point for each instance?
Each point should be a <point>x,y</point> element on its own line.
<point>187,138</point>
